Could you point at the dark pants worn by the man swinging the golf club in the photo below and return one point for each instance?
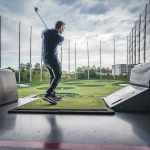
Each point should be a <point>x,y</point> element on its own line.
<point>55,71</point>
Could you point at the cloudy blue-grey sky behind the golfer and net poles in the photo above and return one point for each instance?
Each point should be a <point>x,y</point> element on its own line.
<point>86,21</point>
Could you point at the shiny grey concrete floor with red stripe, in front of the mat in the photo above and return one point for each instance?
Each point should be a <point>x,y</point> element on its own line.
<point>125,131</point>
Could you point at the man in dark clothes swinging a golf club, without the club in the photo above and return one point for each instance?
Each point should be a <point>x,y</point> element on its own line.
<point>51,38</point>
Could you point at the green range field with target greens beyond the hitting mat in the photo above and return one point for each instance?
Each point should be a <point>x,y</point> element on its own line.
<point>75,88</point>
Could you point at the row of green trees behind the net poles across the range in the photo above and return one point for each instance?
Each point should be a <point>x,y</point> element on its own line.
<point>81,72</point>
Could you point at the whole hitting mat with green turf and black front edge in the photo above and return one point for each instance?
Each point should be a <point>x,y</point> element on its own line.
<point>68,105</point>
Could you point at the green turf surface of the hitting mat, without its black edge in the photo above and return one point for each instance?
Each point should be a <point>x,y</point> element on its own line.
<point>71,103</point>
